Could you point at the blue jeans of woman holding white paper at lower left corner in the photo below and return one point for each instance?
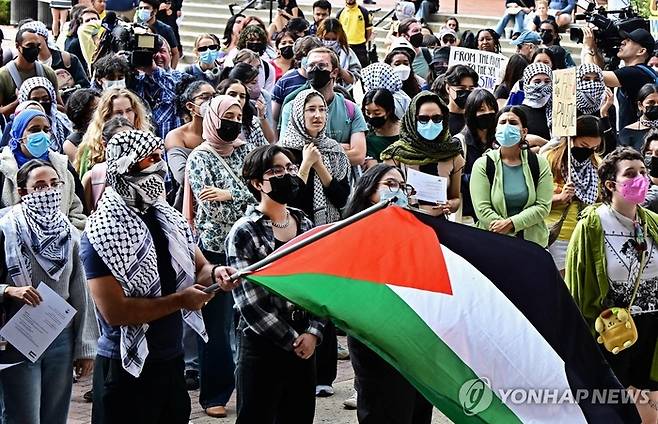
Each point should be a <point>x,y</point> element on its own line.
<point>40,392</point>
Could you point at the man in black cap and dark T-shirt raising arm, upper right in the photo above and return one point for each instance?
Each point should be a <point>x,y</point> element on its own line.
<point>635,50</point>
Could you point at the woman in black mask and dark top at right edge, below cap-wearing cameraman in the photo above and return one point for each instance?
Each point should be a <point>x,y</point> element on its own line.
<point>633,135</point>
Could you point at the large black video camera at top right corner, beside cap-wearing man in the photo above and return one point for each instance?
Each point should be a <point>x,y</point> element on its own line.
<point>607,31</point>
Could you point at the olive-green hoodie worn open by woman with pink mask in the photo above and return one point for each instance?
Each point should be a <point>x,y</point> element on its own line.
<point>586,270</point>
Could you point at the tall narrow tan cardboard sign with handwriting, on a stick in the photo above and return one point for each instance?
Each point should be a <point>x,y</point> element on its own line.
<point>564,102</point>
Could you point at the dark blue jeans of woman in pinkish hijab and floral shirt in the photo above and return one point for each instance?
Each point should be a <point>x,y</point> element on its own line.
<point>216,363</point>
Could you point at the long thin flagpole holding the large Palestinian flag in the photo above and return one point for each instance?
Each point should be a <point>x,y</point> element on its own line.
<point>303,243</point>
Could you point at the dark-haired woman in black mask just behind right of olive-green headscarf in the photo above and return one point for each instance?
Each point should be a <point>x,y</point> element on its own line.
<point>457,84</point>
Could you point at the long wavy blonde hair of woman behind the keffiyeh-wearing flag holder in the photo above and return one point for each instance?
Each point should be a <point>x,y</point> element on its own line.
<point>92,141</point>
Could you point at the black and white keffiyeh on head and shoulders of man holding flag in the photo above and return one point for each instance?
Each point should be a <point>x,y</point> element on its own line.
<point>125,245</point>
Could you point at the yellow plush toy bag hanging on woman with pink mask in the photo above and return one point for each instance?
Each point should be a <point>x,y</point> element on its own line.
<point>616,329</point>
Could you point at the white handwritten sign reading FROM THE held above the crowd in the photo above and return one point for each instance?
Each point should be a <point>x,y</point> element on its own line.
<point>489,66</point>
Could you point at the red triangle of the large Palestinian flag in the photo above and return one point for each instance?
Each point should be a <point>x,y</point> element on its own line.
<point>388,247</point>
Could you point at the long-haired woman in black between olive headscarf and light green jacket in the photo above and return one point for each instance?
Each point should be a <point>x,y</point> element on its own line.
<point>476,138</point>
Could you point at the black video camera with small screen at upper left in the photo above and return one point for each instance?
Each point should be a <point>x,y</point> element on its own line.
<point>132,40</point>
